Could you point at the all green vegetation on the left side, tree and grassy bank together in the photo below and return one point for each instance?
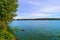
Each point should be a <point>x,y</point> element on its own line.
<point>7,12</point>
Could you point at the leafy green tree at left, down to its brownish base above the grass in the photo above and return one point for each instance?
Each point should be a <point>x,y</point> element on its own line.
<point>8,9</point>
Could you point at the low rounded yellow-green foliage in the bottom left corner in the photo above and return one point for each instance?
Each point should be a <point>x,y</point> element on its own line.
<point>5,35</point>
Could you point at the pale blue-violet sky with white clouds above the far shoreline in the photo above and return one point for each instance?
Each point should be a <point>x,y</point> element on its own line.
<point>38,9</point>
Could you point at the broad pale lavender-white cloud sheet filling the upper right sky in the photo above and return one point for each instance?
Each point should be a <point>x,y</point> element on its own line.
<point>45,6</point>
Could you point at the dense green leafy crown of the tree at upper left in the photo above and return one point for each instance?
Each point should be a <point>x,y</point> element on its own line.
<point>8,9</point>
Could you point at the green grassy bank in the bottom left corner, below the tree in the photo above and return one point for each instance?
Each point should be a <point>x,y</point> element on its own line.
<point>7,34</point>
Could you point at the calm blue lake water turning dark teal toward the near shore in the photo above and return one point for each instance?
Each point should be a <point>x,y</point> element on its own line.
<point>32,28</point>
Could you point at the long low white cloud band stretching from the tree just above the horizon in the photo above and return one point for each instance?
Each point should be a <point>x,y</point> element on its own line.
<point>33,15</point>
